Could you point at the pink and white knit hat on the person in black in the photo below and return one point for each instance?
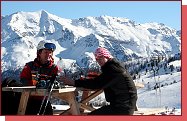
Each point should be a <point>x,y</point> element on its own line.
<point>102,52</point>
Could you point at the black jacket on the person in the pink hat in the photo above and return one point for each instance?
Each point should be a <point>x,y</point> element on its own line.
<point>117,83</point>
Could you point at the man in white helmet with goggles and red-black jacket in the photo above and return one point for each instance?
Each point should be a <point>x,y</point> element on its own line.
<point>42,67</point>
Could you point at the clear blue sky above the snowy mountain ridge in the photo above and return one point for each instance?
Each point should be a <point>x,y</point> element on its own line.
<point>167,12</point>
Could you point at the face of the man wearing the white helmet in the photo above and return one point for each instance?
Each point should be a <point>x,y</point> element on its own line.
<point>45,55</point>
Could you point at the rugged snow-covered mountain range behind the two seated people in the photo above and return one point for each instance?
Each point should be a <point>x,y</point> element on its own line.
<point>77,39</point>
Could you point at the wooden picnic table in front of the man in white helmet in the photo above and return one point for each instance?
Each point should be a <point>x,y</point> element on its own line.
<point>67,94</point>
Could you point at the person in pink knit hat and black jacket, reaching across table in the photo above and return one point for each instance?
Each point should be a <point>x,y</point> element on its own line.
<point>118,86</point>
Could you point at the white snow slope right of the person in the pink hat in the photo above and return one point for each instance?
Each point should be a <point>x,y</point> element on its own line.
<point>169,94</point>
